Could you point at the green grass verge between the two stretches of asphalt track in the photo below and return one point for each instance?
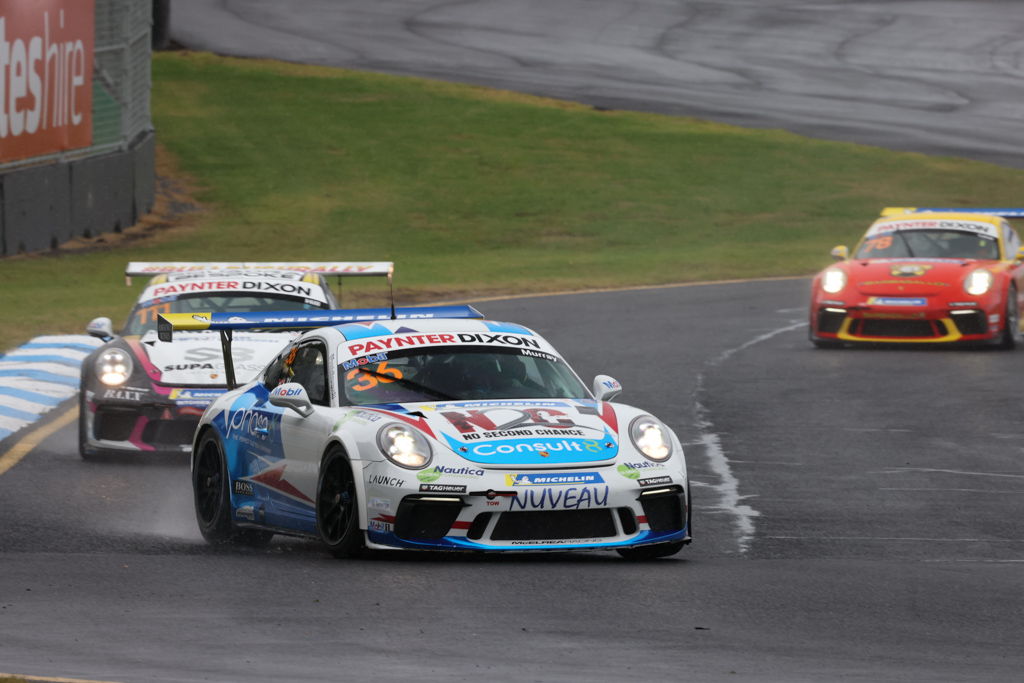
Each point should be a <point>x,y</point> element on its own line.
<point>474,191</point>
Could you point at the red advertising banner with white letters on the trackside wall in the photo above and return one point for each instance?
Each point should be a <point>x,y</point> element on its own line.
<point>46,77</point>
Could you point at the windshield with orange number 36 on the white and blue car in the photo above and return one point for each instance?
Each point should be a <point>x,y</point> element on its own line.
<point>457,373</point>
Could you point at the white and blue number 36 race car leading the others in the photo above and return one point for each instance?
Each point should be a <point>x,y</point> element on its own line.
<point>431,430</point>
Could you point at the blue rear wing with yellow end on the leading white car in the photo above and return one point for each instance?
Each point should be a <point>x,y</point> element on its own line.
<point>294,320</point>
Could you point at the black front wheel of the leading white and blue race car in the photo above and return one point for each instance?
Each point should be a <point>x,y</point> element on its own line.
<point>338,506</point>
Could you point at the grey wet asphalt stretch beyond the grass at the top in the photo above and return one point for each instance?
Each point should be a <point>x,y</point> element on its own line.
<point>933,76</point>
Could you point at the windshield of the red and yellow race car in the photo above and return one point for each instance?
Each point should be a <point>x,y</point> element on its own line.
<point>929,244</point>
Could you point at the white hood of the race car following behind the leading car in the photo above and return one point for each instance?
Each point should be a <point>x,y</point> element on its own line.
<point>196,359</point>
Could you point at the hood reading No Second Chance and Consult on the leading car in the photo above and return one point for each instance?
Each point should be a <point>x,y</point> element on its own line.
<point>518,434</point>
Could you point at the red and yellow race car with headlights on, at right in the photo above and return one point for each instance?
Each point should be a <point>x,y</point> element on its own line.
<point>924,276</point>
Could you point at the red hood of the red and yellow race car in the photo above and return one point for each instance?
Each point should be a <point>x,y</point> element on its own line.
<point>912,277</point>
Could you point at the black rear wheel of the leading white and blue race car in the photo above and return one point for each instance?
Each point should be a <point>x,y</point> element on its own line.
<point>214,502</point>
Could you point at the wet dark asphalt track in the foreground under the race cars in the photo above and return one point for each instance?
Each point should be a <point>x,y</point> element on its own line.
<point>858,519</point>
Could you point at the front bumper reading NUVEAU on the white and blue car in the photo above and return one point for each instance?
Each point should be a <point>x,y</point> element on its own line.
<point>490,516</point>
